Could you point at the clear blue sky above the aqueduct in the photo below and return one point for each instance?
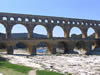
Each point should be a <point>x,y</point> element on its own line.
<point>88,9</point>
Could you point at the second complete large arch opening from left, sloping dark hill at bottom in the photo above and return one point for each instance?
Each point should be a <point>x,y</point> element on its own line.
<point>40,31</point>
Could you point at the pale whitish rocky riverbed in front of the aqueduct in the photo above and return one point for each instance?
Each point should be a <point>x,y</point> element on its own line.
<point>72,63</point>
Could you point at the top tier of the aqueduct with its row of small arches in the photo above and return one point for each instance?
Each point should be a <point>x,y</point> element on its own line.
<point>10,17</point>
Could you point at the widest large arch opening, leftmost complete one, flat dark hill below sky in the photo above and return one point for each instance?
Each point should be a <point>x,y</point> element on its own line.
<point>19,31</point>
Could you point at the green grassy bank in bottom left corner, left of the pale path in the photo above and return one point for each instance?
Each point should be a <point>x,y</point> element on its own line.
<point>12,69</point>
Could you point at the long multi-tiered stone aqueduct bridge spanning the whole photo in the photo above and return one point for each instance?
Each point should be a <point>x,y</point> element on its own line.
<point>49,22</point>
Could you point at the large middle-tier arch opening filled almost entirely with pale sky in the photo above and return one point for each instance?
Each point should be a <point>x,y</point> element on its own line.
<point>58,31</point>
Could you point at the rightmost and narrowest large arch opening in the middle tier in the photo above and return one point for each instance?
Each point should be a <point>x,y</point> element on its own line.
<point>92,33</point>
